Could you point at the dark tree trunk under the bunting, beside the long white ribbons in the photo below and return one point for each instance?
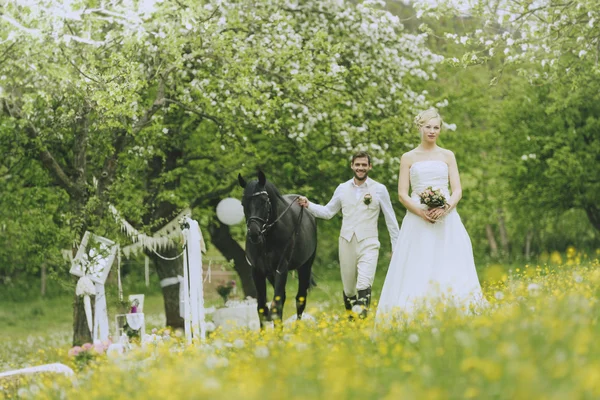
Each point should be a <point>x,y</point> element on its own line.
<point>170,269</point>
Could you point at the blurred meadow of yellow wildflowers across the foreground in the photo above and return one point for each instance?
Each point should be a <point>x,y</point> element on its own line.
<point>538,339</point>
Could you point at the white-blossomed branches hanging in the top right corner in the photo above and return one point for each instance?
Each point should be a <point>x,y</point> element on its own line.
<point>547,40</point>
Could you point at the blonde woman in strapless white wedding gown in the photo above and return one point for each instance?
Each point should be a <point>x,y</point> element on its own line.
<point>433,257</point>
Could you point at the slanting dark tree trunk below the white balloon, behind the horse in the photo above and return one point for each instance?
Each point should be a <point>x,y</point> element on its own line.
<point>231,250</point>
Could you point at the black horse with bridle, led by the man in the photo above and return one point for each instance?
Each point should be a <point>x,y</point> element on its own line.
<point>281,237</point>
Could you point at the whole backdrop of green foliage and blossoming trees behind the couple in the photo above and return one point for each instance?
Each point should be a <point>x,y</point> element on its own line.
<point>160,108</point>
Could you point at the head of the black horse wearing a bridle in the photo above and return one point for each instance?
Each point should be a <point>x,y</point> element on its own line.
<point>257,207</point>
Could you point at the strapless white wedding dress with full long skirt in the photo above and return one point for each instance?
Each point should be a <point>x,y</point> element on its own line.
<point>430,262</point>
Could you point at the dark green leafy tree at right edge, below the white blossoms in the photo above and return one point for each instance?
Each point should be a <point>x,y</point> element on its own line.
<point>555,148</point>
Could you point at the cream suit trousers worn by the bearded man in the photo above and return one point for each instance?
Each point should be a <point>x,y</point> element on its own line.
<point>358,263</point>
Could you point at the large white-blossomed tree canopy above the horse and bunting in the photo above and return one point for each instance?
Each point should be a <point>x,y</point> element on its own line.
<point>124,102</point>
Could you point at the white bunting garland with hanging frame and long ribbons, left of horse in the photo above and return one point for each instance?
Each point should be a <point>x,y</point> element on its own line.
<point>96,254</point>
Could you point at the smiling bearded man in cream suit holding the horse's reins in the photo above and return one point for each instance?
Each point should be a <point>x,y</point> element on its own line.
<point>360,200</point>
